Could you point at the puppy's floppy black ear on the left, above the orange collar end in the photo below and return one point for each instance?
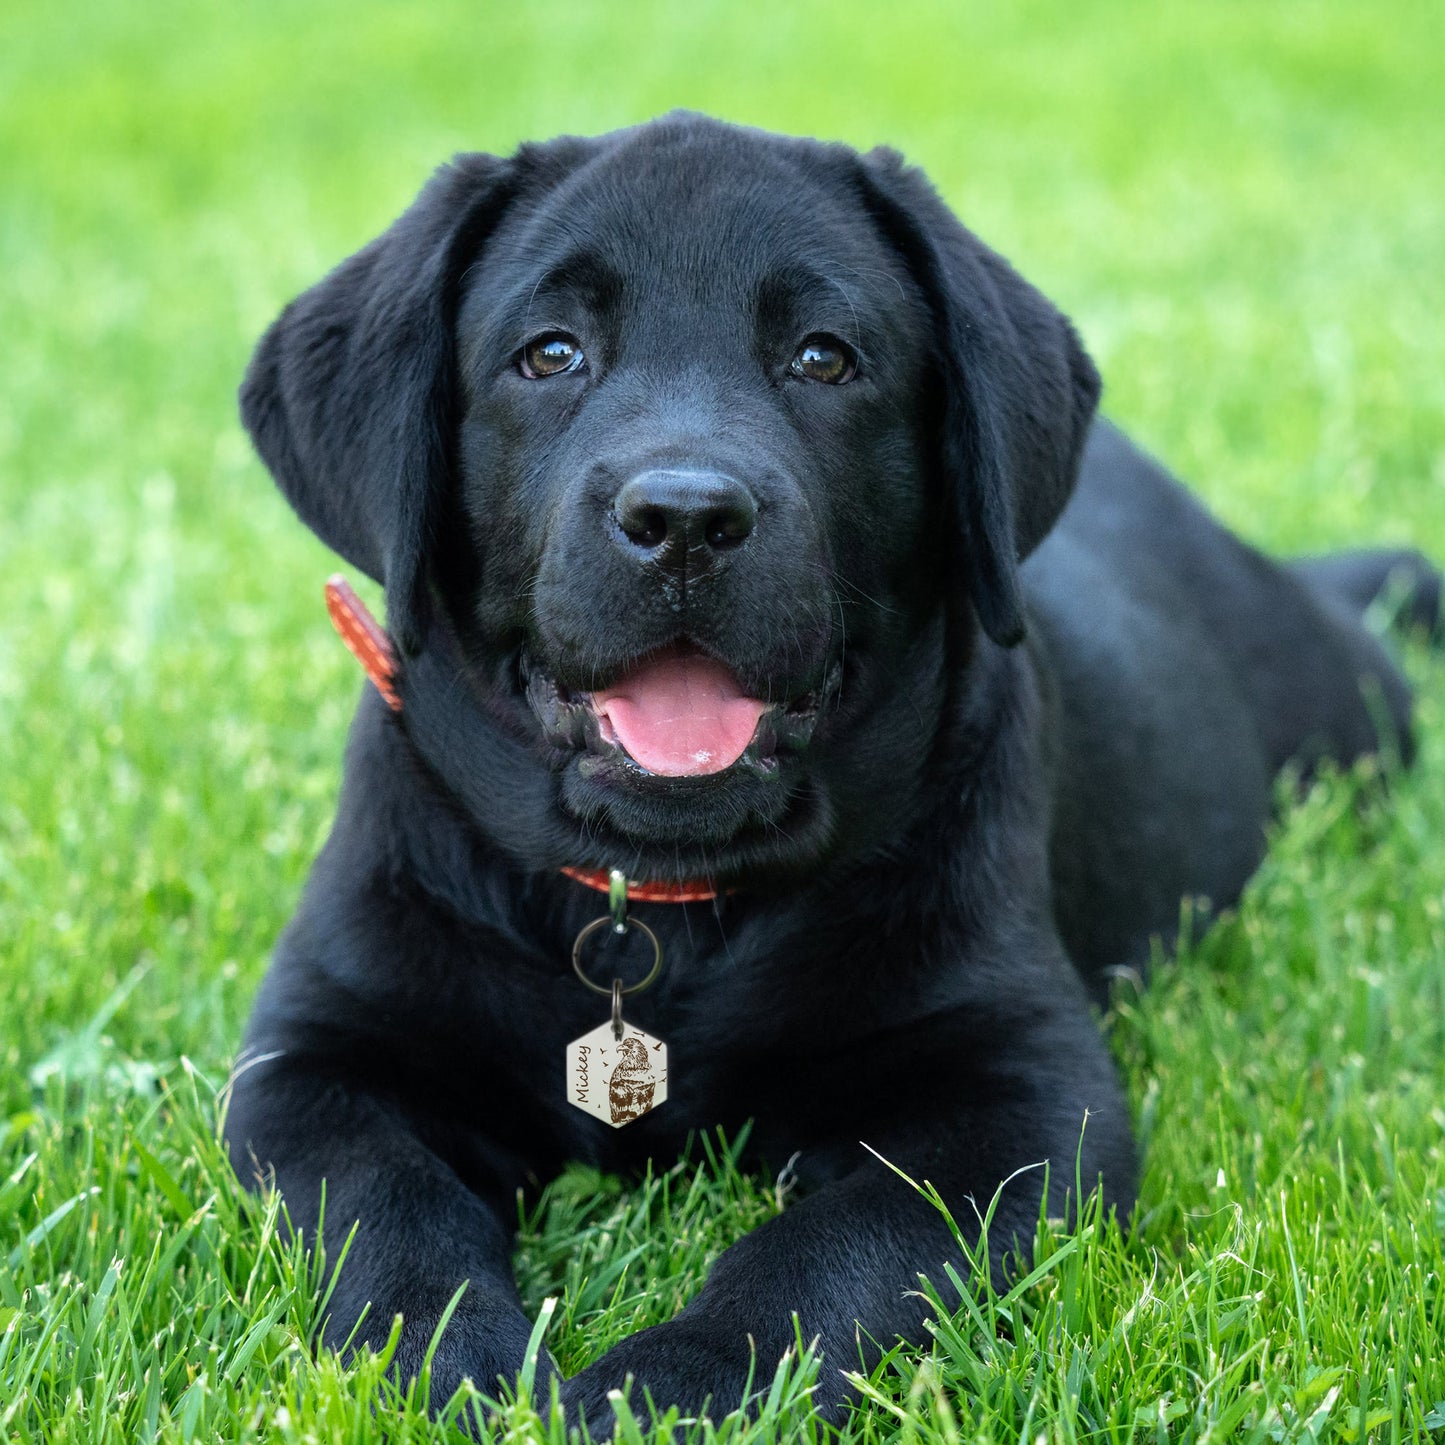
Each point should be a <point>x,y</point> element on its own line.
<point>350,395</point>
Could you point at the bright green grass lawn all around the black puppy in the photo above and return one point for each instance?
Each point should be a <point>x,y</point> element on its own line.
<point>1243,207</point>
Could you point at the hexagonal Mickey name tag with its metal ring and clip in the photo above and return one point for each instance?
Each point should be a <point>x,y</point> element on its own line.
<point>618,1073</point>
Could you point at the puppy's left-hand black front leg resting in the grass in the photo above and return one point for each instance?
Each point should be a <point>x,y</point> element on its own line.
<point>421,1232</point>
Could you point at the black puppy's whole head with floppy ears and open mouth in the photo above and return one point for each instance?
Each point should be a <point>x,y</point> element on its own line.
<point>707,446</point>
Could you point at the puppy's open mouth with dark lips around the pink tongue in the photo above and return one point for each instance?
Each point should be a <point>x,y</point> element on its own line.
<point>674,713</point>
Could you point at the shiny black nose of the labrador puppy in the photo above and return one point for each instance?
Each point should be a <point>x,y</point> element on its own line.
<point>684,519</point>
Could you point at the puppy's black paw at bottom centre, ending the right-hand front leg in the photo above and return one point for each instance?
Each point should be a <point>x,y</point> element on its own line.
<point>677,1365</point>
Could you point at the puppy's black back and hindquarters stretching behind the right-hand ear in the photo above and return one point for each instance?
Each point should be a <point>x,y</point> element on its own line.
<point>1190,670</point>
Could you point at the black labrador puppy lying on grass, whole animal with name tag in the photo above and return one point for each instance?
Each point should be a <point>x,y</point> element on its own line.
<point>746,528</point>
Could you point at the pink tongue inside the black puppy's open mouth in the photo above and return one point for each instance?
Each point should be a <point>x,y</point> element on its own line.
<point>680,715</point>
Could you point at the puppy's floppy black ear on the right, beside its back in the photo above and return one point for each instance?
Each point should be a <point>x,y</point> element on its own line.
<point>1018,389</point>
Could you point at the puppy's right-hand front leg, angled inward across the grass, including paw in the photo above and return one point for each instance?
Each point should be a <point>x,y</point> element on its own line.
<point>847,1258</point>
